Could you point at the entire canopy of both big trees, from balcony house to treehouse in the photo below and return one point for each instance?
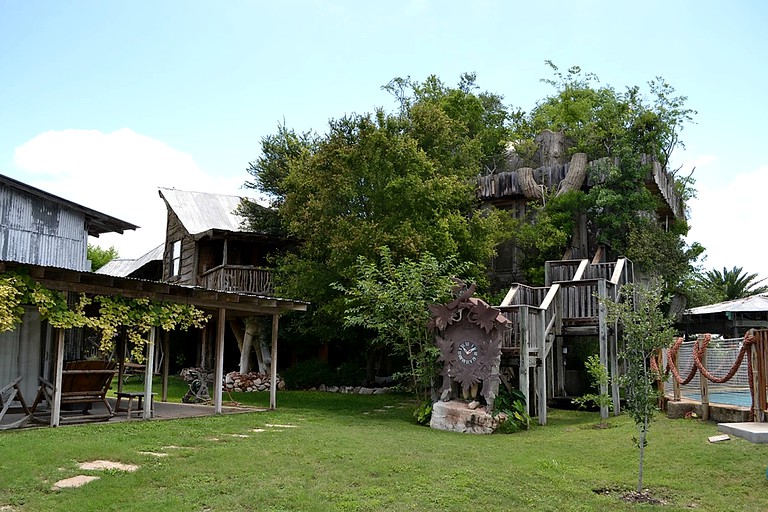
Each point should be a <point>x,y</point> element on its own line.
<point>406,180</point>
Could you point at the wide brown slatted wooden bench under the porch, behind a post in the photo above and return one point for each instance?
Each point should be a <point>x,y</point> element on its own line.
<point>83,382</point>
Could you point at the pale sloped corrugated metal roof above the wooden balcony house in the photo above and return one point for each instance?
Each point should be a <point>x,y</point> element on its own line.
<point>200,211</point>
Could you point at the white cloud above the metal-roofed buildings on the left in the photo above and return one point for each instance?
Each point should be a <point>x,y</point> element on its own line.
<point>118,174</point>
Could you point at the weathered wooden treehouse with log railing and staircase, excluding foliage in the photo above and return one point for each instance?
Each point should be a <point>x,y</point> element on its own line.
<point>544,350</point>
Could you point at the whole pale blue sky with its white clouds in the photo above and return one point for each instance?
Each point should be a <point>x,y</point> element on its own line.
<point>103,102</point>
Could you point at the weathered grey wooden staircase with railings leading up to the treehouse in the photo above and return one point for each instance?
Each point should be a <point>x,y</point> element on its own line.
<point>569,305</point>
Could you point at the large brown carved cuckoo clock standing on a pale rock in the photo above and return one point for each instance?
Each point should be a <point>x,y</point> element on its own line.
<point>468,333</point>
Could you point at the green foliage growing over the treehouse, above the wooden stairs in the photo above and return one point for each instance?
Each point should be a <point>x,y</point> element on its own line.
<point>613,128</point>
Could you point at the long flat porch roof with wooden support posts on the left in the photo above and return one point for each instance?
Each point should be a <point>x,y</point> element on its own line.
<point>222,304</point>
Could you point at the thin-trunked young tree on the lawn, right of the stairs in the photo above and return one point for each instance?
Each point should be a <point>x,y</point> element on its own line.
<point>646,329</point>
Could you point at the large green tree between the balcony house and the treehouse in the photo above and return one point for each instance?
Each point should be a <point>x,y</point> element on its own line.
<point>404,180</point>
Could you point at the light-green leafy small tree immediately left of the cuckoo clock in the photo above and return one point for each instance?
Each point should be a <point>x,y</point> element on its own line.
<point>391,300</point>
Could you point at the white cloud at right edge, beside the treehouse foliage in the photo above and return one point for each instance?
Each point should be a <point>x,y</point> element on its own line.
<point>729,222</point>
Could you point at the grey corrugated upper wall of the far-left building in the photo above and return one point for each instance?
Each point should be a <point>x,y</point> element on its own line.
<point>40,232</point>
